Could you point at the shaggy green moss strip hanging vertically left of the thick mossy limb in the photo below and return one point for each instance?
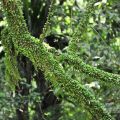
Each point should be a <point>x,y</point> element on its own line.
<point>12,73</point>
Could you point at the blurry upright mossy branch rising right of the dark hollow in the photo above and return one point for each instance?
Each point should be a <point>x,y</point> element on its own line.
<point>80,29</point>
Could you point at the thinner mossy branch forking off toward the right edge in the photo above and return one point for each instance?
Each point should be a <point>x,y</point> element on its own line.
<point>108,78</point>
